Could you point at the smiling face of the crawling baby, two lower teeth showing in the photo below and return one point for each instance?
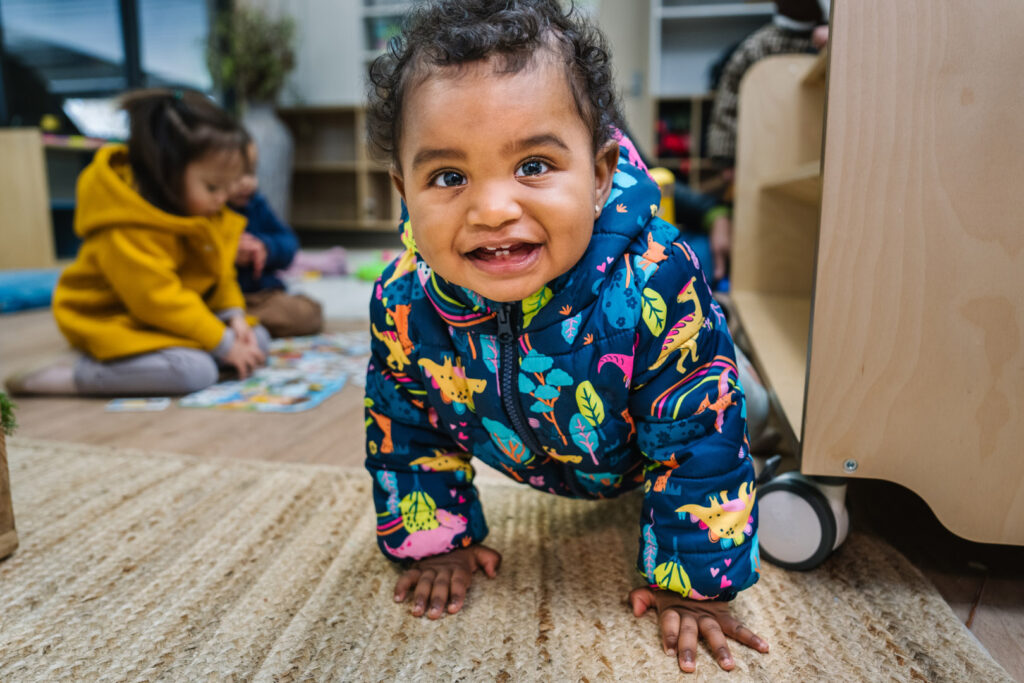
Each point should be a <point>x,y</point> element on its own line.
<point>500,178</point>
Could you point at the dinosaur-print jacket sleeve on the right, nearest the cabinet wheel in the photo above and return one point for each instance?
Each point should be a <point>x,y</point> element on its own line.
<point>700,518</point>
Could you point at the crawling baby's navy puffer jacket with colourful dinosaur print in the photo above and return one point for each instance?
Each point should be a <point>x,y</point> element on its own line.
<point>619,374</point>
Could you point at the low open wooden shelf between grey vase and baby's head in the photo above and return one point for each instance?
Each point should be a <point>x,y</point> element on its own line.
<point>335,184</point>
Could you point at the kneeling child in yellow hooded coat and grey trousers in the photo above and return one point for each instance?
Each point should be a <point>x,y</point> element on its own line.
<point>152,301</point>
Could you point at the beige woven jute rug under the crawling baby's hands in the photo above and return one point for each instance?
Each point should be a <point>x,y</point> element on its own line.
<point>152,567</point>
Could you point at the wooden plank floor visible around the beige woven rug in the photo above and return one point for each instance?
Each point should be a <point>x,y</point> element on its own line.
<point>984,584</point>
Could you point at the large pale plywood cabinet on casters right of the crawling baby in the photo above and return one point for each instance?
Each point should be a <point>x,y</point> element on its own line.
<point>882,285</point>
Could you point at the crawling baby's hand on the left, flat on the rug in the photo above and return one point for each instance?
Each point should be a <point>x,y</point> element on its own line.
<point>444,580</point>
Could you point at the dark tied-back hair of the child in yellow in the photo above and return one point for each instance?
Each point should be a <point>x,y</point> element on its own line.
<point>168,131</point>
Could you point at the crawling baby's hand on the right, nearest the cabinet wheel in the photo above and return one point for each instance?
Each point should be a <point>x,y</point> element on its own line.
<point>682,622</point>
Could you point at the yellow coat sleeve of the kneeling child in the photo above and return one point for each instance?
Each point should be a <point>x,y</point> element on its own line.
<point>140,267</point>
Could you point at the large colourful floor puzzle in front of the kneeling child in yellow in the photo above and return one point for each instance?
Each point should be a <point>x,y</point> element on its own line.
<point>302,373</point>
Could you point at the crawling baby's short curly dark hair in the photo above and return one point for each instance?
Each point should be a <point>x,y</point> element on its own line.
<point>443,33</point>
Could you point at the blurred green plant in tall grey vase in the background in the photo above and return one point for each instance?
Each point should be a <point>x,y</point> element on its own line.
<point>251,54</point>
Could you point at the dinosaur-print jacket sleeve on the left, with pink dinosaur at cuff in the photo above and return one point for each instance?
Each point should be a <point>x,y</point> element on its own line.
<point>426,502</point>
